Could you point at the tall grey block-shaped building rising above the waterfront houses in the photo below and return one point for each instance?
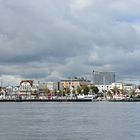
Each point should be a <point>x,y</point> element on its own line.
<point>103,78</point>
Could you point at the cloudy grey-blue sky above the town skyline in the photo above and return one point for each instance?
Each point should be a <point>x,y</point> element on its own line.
<point>50,40</point>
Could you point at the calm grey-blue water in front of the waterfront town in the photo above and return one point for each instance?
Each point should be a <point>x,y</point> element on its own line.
<point>70,121</point>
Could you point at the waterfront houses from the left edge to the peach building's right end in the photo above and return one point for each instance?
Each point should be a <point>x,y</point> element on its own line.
<point>32,87</point>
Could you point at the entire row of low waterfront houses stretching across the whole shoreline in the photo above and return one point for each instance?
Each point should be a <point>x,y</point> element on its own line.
<point>31,87</point>
